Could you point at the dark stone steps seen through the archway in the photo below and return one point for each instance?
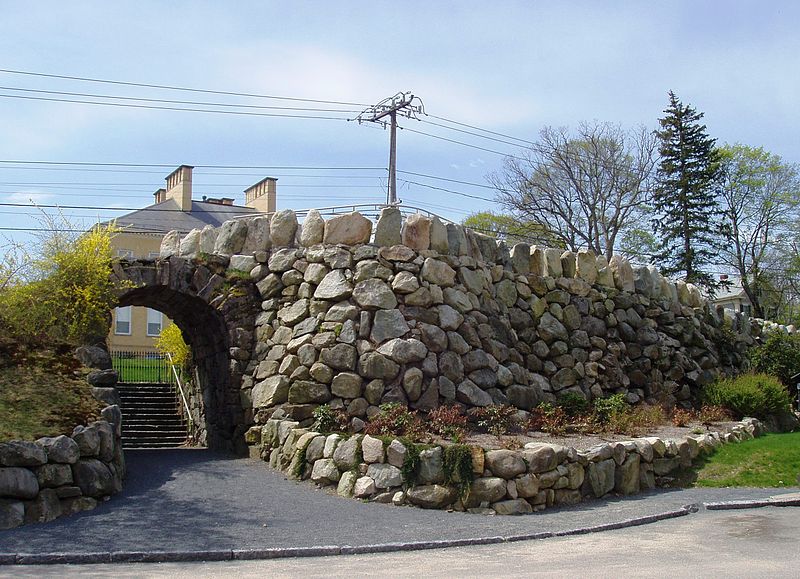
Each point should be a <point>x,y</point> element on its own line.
<point>151,417</point>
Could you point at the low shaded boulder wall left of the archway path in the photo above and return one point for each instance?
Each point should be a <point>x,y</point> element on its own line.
<point>53,477</point>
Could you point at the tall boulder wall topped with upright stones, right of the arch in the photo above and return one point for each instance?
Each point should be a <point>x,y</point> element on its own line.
<point>426,313</point>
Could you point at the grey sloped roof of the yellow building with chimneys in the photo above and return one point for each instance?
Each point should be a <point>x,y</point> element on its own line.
<point>164,217</point>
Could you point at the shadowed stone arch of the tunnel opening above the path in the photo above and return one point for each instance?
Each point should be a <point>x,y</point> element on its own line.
<point>216,316</point>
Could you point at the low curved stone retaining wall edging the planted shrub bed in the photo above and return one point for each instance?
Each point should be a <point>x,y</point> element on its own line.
<point>505,482</point>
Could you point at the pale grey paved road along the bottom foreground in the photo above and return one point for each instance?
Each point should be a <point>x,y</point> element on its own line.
<point>750,543</point>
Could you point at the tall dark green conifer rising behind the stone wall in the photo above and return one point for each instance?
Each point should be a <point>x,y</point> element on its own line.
<point>688,223</point>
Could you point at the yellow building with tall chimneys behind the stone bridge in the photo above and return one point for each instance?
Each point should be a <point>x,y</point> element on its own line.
<point>136,328</point>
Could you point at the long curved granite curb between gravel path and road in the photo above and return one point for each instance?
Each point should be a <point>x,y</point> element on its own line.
<point>321,551</point>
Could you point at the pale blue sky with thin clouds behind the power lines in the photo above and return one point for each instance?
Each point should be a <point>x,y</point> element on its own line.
<point>508,67</point>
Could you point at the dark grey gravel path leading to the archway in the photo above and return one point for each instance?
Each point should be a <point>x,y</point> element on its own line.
<point>195,500</point>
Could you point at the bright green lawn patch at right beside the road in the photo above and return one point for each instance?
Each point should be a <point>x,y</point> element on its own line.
<point>772,460</point>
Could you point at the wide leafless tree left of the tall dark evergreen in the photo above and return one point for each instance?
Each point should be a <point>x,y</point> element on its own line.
<point>585,188</point>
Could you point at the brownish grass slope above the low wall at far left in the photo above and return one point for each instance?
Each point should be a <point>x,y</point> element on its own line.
<point>40,395</point>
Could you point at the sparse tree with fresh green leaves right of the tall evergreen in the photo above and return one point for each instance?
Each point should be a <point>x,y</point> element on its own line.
<point>759,199</point>
